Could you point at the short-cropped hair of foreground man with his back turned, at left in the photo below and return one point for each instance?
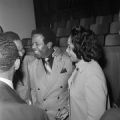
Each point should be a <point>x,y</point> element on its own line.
<point>8,53</point>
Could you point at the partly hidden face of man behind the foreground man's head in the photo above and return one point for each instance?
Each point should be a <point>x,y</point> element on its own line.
<point>20,47</point>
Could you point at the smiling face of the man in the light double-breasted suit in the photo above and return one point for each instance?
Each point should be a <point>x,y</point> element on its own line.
<point>39,47</point>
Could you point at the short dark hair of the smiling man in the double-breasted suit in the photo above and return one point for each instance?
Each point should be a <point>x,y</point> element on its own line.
<point>48,34</point>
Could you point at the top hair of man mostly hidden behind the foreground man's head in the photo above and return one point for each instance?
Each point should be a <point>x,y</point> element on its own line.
<point>10,35</point>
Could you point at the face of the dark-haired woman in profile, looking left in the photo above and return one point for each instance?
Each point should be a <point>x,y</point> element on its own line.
<point>70,51</point>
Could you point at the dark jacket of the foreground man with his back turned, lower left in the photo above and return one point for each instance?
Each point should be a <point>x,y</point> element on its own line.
<point>12,107</point>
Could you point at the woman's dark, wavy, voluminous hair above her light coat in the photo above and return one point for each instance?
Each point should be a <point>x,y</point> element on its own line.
<point>85,44</point>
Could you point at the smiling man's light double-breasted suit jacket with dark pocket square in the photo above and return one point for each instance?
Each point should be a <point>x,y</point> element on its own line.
<point>48,91</point>
